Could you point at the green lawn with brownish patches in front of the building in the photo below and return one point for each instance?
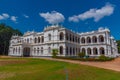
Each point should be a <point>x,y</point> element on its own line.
<point>38,69</point>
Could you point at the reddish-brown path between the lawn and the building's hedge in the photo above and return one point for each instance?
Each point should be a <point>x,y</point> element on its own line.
<point>112,65</point>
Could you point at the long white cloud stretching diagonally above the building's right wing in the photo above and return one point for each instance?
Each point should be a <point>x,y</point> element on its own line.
<point>96,14</point>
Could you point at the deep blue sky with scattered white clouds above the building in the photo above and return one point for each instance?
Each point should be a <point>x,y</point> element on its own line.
<point>78,15</point>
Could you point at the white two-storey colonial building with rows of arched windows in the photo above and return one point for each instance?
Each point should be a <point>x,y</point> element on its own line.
<point>68,43</point>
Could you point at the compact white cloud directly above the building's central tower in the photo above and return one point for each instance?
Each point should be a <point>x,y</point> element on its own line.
<point>53,17</point>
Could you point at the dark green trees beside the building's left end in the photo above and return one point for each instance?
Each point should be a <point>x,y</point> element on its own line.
<point>6,33</point>
